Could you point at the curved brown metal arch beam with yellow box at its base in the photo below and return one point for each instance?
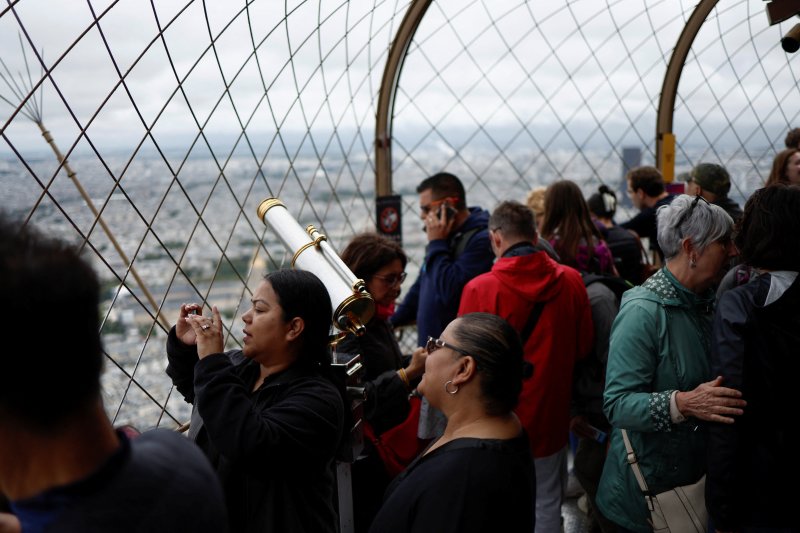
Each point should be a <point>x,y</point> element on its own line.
<point>665,139</point>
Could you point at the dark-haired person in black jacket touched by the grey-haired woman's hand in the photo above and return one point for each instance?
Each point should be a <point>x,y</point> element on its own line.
<point>755,350</point>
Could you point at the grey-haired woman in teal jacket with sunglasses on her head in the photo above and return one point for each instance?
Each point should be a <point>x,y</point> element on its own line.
<point>659,385</point>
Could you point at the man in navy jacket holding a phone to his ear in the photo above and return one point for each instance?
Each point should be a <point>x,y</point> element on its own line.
<point>458,250</point>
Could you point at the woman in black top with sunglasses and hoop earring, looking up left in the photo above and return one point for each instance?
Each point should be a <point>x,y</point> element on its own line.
<point>479,475</point>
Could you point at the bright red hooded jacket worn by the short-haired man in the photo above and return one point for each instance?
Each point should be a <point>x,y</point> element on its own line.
<point>563,334</point>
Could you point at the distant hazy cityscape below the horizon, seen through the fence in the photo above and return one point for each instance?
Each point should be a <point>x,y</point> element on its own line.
<point>226,249</point>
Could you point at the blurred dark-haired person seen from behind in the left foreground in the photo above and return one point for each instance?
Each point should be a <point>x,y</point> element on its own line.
<point>63,466</point>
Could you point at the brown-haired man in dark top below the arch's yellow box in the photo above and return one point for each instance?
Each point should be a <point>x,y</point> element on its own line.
<point>647,192</point>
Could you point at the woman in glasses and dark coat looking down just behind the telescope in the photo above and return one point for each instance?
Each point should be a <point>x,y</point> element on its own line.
<point>388,377</point>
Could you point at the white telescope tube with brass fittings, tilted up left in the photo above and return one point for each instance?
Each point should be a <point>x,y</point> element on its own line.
<point>353,305</point>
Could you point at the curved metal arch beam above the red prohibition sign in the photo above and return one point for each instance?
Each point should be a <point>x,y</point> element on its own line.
<point>385,112</point>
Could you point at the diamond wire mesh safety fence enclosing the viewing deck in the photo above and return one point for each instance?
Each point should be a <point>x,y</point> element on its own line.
<point>177,118</point>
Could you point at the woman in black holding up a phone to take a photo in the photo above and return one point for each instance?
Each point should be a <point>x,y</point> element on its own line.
<point>268,416</point>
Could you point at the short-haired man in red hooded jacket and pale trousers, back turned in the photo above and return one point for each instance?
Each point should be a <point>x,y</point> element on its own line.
<point>522,284</point>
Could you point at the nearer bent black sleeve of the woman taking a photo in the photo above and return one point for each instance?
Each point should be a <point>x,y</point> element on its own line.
<point>303,424</point>
